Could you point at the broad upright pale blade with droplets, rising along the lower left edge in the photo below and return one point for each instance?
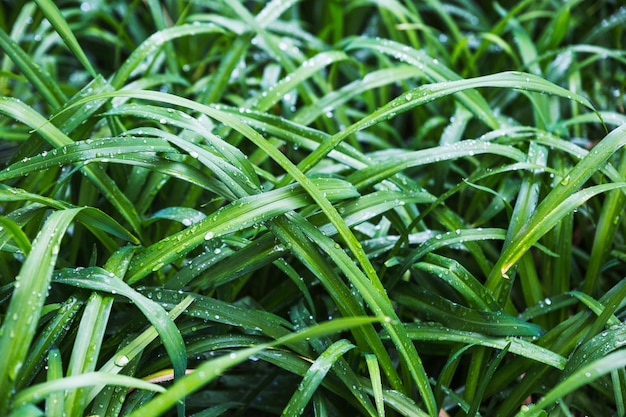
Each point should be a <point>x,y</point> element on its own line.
<point>31,286</point>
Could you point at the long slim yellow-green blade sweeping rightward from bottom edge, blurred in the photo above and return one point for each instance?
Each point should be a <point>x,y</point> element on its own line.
<point>210,370</point>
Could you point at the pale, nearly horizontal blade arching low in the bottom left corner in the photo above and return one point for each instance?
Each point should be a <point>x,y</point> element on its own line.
<point>36,392</point>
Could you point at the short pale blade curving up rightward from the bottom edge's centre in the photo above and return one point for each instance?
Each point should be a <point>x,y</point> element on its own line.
<point>314,376</point>
